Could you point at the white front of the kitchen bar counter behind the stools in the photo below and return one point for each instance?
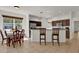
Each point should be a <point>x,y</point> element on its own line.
<point>35,35</point>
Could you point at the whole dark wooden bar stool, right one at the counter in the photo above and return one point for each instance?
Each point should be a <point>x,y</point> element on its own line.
<point>55,35</point>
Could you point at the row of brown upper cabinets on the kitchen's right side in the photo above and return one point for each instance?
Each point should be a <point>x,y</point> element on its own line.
<point>65,22</point>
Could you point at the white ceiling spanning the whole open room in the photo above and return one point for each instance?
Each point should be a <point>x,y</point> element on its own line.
<point>46,11</point>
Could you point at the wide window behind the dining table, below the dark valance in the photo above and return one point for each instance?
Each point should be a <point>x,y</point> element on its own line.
<point>10,22</point>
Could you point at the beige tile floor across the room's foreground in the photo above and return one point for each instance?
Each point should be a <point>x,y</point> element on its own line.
<point>71,46</point>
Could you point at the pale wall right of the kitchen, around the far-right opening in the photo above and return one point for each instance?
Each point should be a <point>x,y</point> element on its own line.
<point>74,17</point>
